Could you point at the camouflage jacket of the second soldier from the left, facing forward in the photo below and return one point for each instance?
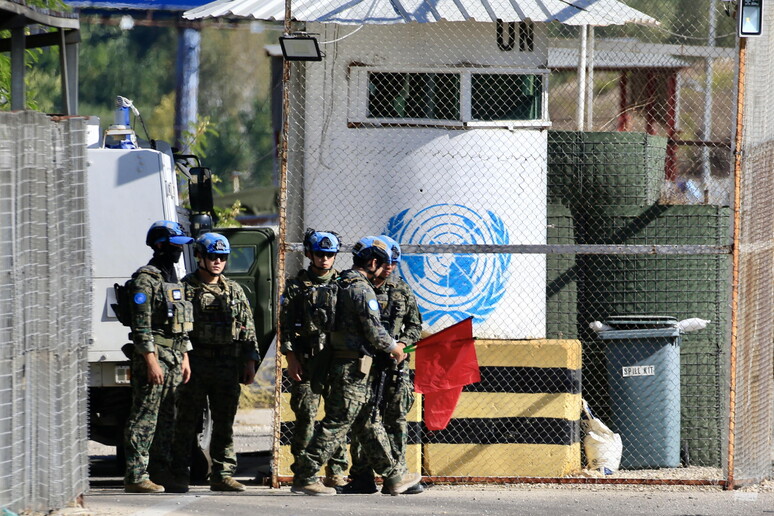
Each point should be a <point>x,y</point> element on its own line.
<point>222,315</point>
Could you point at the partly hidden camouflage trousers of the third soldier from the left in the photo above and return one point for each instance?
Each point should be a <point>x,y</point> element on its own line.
<point>305,405</point>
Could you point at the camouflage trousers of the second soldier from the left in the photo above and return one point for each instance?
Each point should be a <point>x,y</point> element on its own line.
<point>216,380</point>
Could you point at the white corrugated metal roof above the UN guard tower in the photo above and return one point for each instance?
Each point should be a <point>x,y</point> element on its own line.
<point>570,12</point>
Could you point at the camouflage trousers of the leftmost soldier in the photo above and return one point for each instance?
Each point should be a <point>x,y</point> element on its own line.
<point>150,428</point>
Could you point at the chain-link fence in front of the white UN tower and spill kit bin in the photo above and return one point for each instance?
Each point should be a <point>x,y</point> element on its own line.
<point>565,176</point>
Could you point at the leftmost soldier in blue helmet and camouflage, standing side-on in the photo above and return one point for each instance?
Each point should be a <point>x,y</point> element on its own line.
<point>161,319</point>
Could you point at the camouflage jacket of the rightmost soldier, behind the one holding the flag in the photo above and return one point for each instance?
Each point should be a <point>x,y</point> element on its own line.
<point>399,312</point>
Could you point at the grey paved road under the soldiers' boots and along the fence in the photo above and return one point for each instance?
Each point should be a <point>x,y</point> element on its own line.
<point>106,496</point>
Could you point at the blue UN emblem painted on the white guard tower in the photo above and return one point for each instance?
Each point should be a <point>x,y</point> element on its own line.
<point>453,286</point>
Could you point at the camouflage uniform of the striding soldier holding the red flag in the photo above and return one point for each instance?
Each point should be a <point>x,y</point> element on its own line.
<point>359,331</point>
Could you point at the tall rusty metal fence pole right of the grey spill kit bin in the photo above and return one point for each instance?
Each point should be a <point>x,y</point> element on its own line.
<point>735,261</point>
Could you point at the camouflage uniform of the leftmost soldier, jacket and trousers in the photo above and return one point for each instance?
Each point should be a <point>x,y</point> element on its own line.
<point>160,318</point>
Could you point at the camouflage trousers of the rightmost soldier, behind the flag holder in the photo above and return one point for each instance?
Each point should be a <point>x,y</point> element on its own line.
<point>399,398</point>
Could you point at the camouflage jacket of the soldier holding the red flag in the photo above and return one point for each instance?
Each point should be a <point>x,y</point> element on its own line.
<point>358,323</point>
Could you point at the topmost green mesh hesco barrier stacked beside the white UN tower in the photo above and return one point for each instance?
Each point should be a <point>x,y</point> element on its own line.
<point>605,168</point>
